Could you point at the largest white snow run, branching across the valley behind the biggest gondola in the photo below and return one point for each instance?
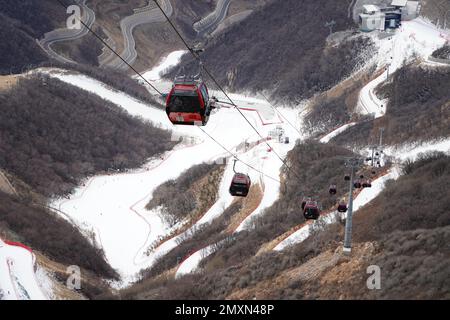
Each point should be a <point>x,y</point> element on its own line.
<point>112,207</point>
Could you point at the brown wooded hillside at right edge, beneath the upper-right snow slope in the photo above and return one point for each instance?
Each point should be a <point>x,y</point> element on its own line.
<point>418,109</point>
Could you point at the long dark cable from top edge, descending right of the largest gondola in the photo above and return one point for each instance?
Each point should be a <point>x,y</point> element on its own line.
<point>220,87</point>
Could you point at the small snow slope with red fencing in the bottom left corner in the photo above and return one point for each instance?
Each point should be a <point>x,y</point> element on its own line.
<point>18,280</point>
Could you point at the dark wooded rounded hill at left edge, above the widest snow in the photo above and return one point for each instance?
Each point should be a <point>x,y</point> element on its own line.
<point>53,135</point>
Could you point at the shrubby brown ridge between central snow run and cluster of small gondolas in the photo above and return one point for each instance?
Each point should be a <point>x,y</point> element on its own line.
<point>317,165</point>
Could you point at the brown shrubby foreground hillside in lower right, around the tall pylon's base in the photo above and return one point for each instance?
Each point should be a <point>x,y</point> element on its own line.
<point>404,232</point>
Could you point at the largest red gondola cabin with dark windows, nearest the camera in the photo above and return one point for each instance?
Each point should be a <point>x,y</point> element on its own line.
<point>188,102</point>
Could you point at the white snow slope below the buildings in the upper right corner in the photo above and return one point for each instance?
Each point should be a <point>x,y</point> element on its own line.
<point>414,39</point>
